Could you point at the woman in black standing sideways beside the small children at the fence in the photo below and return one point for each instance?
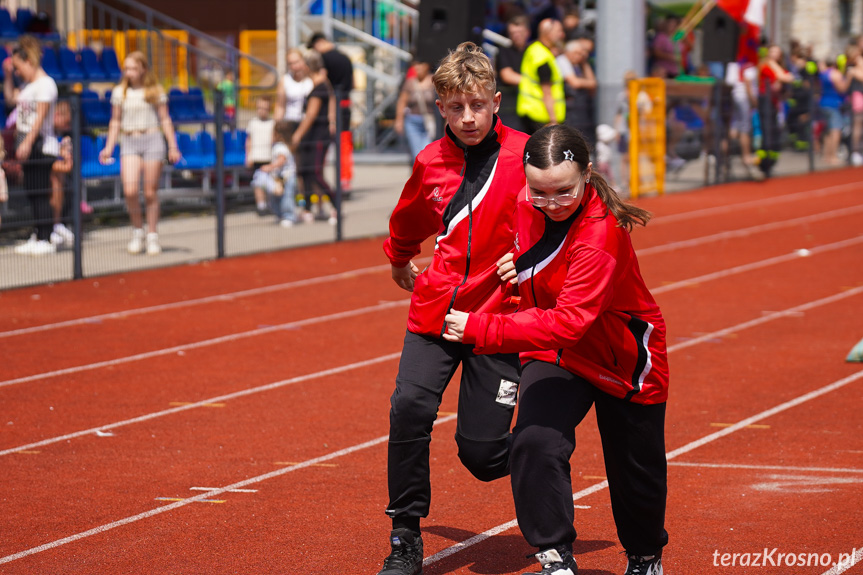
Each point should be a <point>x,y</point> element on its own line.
<point>311,140</point>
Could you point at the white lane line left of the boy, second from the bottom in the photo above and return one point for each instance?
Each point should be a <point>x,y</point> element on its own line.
<point>203,403</point>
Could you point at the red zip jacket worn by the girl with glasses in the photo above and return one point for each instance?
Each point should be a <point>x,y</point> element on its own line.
<point>584,305</point>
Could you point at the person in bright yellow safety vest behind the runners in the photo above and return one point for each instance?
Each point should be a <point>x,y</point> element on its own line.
<point>541,97</point>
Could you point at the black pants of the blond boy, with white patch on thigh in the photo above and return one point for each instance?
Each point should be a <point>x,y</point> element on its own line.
<point>485,407</point>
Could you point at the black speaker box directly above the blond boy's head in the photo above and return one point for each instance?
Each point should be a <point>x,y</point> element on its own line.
<point>444,24</point>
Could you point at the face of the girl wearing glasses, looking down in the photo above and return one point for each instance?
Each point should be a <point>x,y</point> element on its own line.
<point>563,183</point>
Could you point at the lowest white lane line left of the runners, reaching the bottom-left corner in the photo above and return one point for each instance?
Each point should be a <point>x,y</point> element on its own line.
<point>203,496</point>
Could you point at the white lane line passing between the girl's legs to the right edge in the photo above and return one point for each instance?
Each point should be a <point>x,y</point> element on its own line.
<point>670,455</point>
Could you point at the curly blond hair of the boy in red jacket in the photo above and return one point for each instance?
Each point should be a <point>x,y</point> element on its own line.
<point>465,70</point>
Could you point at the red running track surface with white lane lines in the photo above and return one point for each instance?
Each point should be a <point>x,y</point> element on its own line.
<point>231,416</point>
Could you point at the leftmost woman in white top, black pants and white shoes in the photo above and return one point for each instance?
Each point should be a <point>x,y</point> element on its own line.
<point>35,145</point>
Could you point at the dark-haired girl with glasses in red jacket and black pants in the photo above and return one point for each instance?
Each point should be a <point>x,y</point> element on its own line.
<point>589,333</point>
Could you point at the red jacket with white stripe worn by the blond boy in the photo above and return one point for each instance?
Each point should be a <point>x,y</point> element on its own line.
<point>467,196</point>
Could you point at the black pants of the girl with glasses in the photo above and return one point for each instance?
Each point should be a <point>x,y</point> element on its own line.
<point>551,404</point>
